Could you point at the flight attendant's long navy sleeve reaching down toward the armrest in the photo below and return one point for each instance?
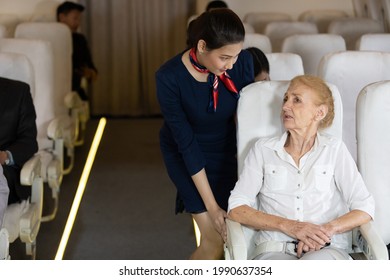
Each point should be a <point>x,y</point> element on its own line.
<point>169,97</point>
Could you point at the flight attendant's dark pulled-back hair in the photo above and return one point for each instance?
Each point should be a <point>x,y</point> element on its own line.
<point>218,28</point>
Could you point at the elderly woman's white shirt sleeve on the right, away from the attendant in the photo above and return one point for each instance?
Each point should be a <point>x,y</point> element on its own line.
<point>351,184</point>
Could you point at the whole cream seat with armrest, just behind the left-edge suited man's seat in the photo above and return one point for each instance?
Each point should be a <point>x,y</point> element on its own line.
<point>51,129</point>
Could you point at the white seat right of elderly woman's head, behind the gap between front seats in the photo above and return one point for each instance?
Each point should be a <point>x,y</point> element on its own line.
<point>350,71</point>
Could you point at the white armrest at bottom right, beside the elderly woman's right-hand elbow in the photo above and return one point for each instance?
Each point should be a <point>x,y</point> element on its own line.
<point>371,243</point>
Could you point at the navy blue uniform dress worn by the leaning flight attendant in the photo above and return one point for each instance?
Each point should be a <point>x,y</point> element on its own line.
<point>193,138</point>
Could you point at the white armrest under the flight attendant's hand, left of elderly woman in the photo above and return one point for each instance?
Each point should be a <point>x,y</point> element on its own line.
<point>236,250</point>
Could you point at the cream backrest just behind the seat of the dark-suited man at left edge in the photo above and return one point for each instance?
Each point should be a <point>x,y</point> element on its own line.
<point>40,55</point>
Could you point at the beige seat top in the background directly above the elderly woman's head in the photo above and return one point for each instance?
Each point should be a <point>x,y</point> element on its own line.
<point>312,47</point>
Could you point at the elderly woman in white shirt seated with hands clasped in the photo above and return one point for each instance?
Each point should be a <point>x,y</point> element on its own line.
<point>309,190</point>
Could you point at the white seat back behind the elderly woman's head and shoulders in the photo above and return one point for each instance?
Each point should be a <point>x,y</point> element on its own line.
<point>259,110</point>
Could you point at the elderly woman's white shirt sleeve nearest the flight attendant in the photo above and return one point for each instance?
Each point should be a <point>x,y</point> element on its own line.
<point>250,180</point>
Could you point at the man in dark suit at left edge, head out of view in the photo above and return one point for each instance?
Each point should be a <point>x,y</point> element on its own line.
<point>18,134</point>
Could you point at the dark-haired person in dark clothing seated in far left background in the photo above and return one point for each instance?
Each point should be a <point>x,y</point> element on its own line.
<point>70,13</point>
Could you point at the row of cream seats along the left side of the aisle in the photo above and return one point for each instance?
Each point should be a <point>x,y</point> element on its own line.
<point>39,54</point>
